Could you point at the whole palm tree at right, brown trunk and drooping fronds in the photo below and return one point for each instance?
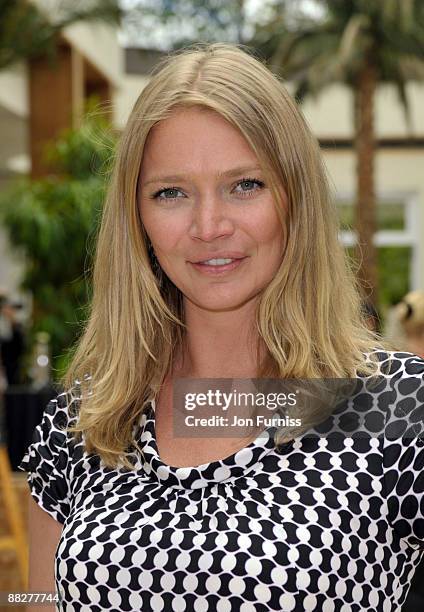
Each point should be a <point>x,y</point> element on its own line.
<point>360,43</point>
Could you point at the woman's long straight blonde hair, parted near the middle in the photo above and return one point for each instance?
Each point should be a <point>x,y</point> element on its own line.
<point>309,317</point>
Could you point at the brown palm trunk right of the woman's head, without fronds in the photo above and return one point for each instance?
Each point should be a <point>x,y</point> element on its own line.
<point>366,207</point>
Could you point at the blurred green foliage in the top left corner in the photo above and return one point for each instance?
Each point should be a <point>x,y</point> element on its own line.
<point>26,32</point>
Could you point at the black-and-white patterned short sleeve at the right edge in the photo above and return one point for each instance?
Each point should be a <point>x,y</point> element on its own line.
<point>403,454</point>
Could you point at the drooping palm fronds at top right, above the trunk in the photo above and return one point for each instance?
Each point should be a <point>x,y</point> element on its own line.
<point>332,46</point>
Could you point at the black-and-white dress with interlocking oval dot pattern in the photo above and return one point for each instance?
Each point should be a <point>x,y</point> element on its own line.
<point>320,524</point>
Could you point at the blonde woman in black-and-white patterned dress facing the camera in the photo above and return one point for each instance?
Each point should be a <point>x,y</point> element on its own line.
<point>218,257</point>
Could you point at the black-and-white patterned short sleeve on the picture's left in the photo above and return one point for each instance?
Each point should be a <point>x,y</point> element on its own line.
<point>47,460</point>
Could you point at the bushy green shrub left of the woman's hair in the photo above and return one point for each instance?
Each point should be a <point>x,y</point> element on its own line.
<point>53,223</point>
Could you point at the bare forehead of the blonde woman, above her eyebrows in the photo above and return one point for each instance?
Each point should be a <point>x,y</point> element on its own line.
<point>195,139</point>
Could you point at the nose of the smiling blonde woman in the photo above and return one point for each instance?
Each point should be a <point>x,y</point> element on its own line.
<point>211,219</point>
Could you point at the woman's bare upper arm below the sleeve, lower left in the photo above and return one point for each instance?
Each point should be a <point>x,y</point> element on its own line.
<point>44,534</point>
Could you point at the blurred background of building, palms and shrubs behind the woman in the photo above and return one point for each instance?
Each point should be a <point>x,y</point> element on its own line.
<point>70,72</point>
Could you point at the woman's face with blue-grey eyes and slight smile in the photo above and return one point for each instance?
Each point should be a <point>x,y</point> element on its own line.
<point>202,197</point>
